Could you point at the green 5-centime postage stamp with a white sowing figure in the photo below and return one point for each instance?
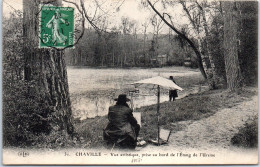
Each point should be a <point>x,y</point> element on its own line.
<point>56,27</point>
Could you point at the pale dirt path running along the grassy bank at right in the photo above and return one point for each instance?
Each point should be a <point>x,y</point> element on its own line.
<point>214,132</point>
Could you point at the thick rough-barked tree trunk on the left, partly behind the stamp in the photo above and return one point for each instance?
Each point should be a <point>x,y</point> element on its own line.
<point>47,69</point>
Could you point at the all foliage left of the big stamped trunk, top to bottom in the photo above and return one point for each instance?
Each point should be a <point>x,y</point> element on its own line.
<point>25,114</point>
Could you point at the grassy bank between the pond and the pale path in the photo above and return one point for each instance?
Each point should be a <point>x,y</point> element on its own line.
<point>193,107</point>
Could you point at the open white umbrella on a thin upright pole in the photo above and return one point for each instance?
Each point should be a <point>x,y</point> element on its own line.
<point>159,81</point>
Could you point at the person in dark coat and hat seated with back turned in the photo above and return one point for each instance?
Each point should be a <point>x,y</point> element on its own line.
<point>122,129</point>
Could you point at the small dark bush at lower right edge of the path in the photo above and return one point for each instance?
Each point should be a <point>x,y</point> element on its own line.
<point>247,136</point>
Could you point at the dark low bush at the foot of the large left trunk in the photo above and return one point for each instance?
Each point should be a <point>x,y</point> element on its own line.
<point>22,116</point>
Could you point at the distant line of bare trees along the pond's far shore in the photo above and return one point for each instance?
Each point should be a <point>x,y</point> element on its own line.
<point>116,49</point>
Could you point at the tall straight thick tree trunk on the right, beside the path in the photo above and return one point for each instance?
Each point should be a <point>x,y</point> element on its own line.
<point>230,45</point>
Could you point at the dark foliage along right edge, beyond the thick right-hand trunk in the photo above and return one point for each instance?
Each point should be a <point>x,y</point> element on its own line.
<point>248,42</point>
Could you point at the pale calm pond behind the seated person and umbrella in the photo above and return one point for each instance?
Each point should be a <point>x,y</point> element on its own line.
<point>94,90</point>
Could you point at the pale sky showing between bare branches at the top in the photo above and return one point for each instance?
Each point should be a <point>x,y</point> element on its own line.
<point>128,8</point>
